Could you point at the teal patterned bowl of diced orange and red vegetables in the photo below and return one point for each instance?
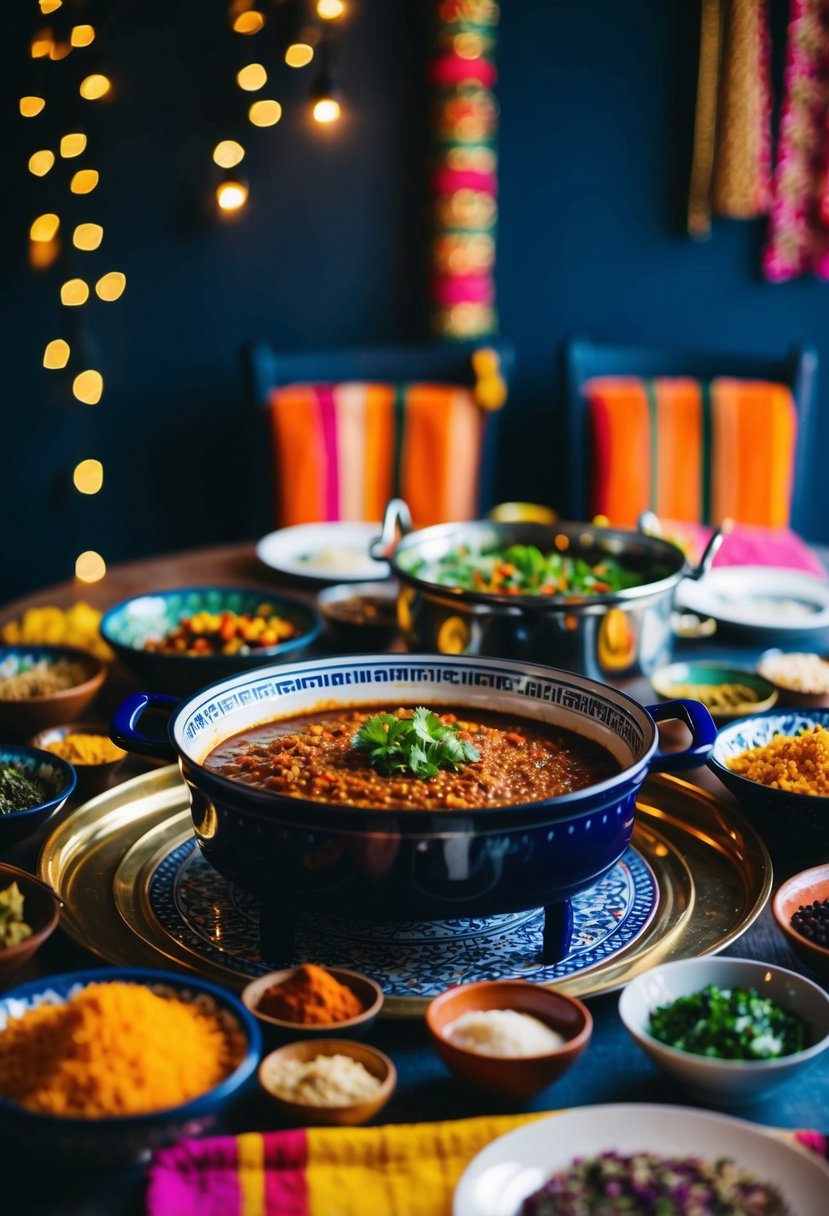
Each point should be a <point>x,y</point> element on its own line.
<point>181,640</point>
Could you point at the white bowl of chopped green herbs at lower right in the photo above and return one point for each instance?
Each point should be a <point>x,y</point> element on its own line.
<point>730,1031</point>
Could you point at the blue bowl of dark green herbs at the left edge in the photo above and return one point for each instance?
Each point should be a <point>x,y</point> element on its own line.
<point>33,785</point>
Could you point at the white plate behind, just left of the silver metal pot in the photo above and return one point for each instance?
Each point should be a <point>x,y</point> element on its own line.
<point>329,553</point>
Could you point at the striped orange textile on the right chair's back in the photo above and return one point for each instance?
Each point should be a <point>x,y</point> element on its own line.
<point>692,452</point>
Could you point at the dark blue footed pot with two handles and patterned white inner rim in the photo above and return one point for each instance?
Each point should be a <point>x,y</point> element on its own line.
<point>301,855</point>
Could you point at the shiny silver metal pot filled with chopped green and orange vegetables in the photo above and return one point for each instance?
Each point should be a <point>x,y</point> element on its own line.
<point>593,600</point>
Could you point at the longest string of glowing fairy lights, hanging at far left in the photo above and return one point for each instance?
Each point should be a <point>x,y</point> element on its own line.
<point>63,235</point>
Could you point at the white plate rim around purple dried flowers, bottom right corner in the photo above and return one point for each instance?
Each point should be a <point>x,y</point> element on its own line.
<point>497,1183</point>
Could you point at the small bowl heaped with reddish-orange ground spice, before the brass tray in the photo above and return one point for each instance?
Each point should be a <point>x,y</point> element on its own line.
<point>324,1001</point>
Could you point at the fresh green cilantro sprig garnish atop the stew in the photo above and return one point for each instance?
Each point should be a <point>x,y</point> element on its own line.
<point>420,745</point>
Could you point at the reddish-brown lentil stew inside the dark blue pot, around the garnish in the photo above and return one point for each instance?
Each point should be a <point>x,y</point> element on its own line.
<point>313,758</point>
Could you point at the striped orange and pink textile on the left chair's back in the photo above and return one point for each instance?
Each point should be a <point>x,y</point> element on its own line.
<point>342,452</point>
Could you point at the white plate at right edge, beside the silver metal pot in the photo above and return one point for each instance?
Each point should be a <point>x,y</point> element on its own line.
<point>759,598</point>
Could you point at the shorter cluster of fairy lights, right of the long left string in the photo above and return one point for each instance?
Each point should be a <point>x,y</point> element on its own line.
<point>314,44</point>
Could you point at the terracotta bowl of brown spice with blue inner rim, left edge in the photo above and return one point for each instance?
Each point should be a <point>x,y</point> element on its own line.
<point>43,686</point>
